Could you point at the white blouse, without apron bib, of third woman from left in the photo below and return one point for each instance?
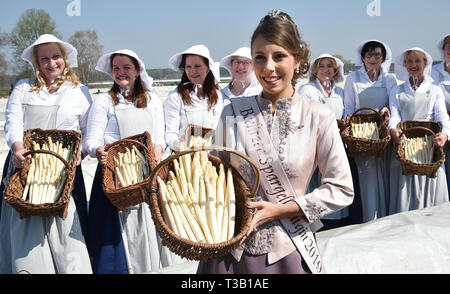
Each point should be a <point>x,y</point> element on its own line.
<point>175,114</point>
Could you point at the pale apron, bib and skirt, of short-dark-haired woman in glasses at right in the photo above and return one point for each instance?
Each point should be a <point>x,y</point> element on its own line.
<point>372,172</point>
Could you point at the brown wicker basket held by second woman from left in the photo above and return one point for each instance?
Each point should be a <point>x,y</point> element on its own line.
<point>131,195</point>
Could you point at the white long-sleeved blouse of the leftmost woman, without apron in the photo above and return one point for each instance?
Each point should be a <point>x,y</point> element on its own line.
<point>72,113</point>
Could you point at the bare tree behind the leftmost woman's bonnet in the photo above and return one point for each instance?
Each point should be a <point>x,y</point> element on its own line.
<point>32,23</point>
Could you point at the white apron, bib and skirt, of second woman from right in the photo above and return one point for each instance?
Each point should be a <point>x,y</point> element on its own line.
<point>414,191</point>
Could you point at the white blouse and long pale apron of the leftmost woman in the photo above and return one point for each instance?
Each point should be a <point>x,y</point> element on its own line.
<point>36,244</point>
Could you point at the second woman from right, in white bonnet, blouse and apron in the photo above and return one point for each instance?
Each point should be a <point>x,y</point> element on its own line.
<point>416,99</point>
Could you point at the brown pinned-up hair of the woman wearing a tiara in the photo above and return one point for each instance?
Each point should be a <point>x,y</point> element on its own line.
<point>278,28</point>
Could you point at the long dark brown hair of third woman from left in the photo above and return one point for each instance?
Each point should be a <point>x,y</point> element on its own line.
<point>209,85</point>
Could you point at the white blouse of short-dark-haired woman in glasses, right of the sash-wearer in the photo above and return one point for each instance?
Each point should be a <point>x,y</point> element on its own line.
<point>351,92</point>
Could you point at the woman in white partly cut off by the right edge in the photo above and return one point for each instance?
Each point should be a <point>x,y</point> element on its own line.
<point>441,77</point>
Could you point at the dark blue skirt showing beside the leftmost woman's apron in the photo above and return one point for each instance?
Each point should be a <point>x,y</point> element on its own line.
<point>78,194</point>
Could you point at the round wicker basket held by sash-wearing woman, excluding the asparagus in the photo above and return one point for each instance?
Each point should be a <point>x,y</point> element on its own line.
<point>202,251</point>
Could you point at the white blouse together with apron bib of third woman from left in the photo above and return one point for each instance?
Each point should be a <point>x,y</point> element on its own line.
<point>179,115</point>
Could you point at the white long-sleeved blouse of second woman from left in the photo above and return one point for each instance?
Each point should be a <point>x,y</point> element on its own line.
<point>103,127</point>
